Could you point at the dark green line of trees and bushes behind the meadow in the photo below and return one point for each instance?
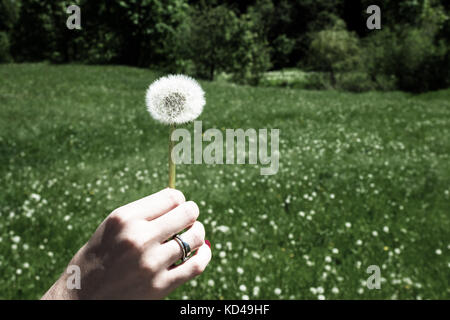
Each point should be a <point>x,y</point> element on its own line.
<point>242,39</point>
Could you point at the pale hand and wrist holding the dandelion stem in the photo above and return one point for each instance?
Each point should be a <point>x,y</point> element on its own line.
<point>131,254</point>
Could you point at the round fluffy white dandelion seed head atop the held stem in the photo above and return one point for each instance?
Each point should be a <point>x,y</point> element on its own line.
<point>175,99</point>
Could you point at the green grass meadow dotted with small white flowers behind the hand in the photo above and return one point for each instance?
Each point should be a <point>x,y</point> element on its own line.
<point>364,180</point>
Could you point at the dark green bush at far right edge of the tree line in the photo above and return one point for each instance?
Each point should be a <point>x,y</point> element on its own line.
<point>408,59</point>
